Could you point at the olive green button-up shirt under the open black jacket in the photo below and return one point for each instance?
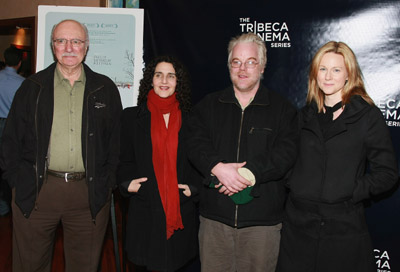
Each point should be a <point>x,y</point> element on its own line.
<point>65,149</point>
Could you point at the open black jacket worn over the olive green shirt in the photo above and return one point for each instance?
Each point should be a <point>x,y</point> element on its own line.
<point>26,137</point>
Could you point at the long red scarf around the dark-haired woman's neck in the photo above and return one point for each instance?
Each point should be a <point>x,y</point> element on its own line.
<point>165,149</point>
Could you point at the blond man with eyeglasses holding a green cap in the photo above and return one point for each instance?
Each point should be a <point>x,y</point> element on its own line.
<point>242,140</point>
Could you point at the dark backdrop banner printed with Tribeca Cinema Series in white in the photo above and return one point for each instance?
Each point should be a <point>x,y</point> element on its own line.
<point>198,32</point>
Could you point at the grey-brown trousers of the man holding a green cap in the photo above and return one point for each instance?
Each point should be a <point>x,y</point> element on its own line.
<point>227,249</point>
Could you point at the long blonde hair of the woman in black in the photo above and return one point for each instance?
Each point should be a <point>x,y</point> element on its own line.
<point>354,85</point>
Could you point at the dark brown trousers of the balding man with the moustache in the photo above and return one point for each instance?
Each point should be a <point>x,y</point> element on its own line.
<point>33,237</point>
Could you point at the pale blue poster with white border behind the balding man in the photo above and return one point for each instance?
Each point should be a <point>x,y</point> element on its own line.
<point>116,43</point>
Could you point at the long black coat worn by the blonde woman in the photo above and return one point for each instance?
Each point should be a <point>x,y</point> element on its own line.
<point>325,228</point>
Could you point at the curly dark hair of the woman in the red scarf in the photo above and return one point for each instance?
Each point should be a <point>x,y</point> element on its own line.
<point>183,90</point>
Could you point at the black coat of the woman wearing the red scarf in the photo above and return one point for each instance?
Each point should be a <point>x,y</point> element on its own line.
<point>146,242</point>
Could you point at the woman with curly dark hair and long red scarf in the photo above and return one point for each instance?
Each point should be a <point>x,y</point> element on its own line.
<point>155,173</point>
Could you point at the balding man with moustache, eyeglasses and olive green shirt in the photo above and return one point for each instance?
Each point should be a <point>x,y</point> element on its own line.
<point>60,152</point>
